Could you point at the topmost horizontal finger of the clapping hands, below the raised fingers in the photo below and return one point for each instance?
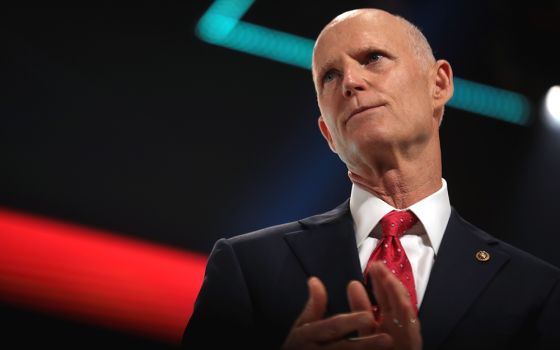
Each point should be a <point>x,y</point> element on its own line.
<point>336,327</point>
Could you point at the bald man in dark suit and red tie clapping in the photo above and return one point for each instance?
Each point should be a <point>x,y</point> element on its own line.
<point>299,286</point>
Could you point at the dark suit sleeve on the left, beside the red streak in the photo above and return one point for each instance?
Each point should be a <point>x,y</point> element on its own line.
<point>222,316</point>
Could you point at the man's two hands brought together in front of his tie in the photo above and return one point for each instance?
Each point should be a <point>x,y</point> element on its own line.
<point>397,328</point>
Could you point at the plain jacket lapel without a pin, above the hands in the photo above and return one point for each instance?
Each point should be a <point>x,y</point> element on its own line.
<point>326,248</point>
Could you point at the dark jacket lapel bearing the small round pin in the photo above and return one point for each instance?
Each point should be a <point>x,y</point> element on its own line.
<point>457,278</point>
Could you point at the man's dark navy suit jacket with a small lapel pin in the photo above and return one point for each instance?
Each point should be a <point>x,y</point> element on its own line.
<point>255,287</point>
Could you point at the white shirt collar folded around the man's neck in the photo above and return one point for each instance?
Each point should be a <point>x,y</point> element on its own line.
<point>433,212</point>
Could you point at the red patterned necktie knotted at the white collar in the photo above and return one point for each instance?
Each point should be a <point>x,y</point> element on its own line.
<point>390,251</point>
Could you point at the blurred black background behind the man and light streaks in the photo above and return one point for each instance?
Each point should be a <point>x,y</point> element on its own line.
<point>118,117</point>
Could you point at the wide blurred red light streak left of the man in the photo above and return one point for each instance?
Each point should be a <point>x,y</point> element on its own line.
<point>97,277</point>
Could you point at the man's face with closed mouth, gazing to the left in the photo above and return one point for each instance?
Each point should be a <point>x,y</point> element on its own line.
<point>372,91</point>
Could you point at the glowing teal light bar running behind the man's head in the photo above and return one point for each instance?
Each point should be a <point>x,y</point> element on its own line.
<point>221,25</point>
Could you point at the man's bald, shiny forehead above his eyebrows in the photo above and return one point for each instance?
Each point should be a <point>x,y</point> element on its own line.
<point>354,32</point>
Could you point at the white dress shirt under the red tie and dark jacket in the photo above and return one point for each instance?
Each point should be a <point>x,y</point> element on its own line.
<point>421,242</point>
